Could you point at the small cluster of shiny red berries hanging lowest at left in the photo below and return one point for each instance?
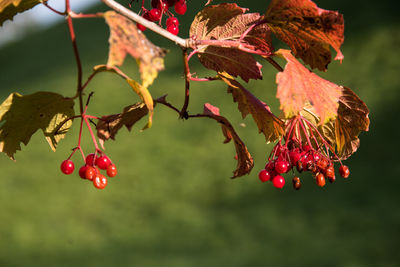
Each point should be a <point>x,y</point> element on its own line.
<point>90,170</point>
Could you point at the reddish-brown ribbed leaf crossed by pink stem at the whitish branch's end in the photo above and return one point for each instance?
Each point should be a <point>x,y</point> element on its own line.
<point>227,22</point>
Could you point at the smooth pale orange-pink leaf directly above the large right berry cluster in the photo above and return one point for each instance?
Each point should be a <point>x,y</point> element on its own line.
<point>297,86</point>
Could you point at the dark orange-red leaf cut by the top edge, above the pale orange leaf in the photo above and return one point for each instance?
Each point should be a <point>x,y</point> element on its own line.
<point>308,30</point>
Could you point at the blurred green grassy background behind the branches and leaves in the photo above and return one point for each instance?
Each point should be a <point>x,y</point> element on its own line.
<point>173,203</point>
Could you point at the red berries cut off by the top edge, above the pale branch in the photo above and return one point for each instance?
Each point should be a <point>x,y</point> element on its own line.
<point>161,7</point>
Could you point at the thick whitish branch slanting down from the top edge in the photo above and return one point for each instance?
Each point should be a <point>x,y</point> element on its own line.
<point>186,43</point>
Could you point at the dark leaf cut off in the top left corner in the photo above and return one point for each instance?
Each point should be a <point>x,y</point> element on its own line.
<point>10,8</point>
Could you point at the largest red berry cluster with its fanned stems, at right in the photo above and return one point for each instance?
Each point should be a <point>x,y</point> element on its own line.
<point>302,156</point>
